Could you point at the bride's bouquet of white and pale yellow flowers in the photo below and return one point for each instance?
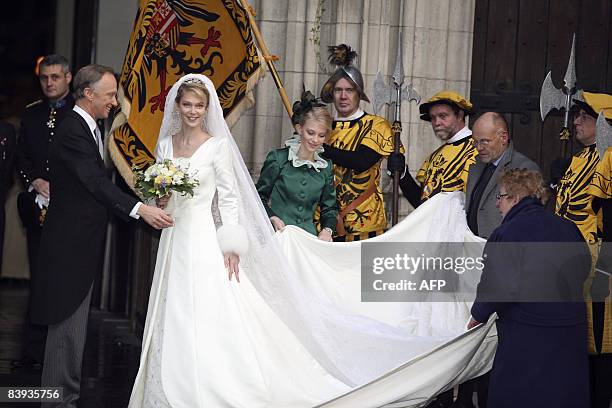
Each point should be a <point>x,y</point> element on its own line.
<point>159,179</point>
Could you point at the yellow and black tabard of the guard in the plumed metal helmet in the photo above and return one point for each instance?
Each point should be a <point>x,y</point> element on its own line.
<point>368,218</point>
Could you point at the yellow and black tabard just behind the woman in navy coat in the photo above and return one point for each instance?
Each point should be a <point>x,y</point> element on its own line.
<point>573,200</point>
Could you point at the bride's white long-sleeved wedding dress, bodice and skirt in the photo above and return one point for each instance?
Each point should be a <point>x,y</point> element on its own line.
<point>211,342</point>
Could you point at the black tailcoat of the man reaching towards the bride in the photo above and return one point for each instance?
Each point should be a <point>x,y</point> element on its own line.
<point>72,242</point>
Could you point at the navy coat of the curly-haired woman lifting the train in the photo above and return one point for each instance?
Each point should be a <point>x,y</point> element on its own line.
<point>541,358</point>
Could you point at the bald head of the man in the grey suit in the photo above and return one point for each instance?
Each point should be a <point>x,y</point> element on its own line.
<point>491,136</point>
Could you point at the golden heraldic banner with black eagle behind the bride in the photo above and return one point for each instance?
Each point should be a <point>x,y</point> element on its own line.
<point>172,38</point>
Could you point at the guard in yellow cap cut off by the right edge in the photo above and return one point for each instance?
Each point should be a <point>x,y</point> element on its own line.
<point>599,285</point>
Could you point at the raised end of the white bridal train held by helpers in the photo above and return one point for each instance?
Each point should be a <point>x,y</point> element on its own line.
<point>333,271</point>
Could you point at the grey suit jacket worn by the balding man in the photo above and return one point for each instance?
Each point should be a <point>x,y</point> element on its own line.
<point>488,217</point>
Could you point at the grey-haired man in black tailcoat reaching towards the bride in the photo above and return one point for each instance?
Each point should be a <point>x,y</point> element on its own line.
<point>72,242</point>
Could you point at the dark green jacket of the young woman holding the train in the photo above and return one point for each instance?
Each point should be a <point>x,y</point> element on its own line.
<point>293,193</point>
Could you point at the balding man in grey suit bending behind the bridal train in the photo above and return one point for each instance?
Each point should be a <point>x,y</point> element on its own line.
<point>495,154</point>
